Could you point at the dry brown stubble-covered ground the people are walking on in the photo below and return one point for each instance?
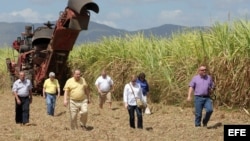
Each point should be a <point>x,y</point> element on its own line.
<point>167,123</point>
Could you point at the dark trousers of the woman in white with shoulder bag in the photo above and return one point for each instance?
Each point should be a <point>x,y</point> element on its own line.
<point>131,112</point>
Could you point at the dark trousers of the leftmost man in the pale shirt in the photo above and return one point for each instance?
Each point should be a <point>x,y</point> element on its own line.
<point>22,110</point>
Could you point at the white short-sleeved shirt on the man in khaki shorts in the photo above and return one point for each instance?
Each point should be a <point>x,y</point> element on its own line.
<point>104,83</point>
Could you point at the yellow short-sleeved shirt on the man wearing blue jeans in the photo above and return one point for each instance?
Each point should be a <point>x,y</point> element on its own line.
<point>51,86</point>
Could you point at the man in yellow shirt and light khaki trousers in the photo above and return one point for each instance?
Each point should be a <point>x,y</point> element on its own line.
<point>76,93</point>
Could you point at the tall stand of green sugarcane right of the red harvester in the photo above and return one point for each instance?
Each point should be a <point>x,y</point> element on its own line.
<point>170,63</point>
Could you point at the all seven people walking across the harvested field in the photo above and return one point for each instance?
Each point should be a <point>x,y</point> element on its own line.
<point>77,96</point>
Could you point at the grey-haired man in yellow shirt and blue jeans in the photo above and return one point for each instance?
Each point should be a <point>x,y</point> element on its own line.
<point>51,87</point>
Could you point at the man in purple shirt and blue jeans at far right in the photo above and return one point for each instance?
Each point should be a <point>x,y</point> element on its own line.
<point>201,85</point>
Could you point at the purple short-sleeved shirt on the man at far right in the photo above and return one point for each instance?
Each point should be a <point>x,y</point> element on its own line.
<point>201,85</point>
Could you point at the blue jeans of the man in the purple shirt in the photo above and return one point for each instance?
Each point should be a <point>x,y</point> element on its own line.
<point>200,103</point>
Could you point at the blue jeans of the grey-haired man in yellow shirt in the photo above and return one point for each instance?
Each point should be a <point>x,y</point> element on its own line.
<point>51,102</point>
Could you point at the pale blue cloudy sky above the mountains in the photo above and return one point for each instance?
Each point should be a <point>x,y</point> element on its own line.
<point>133,15</point>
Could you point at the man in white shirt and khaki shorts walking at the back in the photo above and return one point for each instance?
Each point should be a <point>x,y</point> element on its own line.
<point>104,85</point>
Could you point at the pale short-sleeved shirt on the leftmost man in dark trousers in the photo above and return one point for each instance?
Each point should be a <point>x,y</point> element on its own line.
<point>22,88</point>
